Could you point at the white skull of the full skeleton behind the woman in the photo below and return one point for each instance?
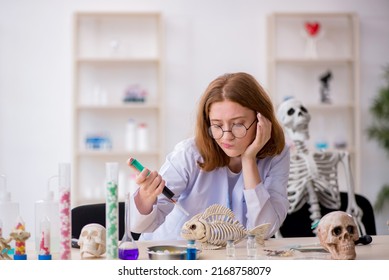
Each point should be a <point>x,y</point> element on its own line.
<point>295,119</point>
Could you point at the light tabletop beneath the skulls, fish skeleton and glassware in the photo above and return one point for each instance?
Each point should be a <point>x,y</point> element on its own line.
<point>377,250</point>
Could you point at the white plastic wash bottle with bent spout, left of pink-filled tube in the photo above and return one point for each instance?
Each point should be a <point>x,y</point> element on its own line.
<point>48,208</point>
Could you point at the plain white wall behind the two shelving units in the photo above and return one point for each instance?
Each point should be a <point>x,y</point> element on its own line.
<point>204,38</point>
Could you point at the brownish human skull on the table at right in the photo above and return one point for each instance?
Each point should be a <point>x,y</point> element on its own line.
<point>337,233</point>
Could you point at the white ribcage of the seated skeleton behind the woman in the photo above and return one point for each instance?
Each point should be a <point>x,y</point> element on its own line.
<point>318,171</point>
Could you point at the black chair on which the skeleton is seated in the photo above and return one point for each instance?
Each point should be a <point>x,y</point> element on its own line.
<point>298,224</point>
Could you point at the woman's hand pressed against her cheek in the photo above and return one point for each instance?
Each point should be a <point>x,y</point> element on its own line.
<point>262,135</point>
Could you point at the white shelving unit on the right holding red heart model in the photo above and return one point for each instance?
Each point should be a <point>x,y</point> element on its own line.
<point>295,70</point>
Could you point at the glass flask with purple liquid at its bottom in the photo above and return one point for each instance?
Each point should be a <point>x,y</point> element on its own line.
<point>128,250</point>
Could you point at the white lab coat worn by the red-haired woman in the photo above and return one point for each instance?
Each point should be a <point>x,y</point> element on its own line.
<point>195,190</point>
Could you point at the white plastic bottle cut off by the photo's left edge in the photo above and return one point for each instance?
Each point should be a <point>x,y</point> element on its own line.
<point>9,211</point>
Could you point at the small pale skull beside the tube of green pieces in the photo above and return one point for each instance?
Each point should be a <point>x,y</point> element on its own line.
<point>92,240</point>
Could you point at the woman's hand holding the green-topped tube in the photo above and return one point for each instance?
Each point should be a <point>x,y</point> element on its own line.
<point>151,186</point>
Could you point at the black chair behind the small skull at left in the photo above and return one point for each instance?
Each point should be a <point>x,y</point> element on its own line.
<point>95,213</point>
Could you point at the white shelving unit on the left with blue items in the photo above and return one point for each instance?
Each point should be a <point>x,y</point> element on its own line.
<point>114,53</point>
